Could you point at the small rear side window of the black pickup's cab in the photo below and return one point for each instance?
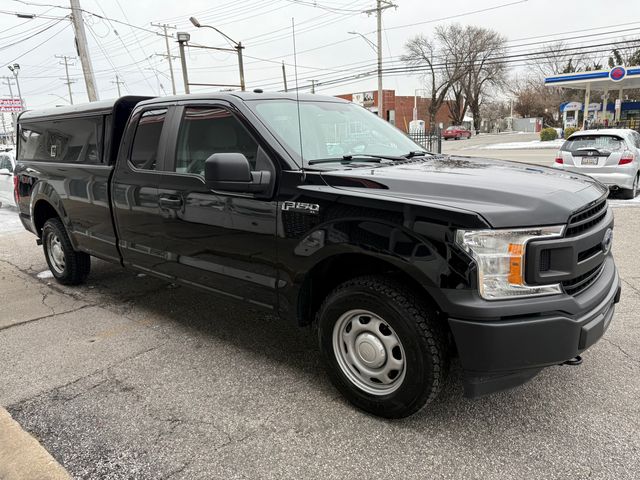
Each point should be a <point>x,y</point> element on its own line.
<point>144,152</point>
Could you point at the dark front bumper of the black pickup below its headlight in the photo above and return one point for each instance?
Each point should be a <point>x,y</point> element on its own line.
<point>502,353</point>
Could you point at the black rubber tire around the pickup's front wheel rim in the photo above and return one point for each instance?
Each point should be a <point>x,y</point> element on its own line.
<point>412,321</point>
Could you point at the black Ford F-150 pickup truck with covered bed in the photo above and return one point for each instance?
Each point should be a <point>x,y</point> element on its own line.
<point>319,211</point>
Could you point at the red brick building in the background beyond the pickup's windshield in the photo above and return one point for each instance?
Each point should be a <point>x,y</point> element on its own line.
<point>398,109</point>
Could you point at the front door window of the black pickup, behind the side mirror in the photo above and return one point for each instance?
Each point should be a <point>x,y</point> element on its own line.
<point>208,130</point>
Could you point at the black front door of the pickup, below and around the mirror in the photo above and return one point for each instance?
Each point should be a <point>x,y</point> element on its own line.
<point>221,241</point>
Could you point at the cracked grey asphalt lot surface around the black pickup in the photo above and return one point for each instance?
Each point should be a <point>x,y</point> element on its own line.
<point>131,377</point>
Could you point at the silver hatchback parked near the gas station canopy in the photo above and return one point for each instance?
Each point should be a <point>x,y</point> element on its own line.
<point>611,156</point>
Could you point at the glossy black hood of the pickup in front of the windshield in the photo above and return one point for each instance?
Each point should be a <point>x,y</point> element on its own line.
<point>505,194</point>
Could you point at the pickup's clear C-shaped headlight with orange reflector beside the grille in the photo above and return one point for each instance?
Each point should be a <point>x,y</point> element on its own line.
<point>500,257</point>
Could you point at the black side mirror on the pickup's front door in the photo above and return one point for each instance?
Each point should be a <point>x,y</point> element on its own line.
<point>232,172</point>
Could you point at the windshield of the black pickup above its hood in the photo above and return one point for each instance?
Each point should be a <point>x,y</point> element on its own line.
<point>331,130</point>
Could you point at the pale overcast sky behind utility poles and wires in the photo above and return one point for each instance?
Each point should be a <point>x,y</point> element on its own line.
<point>325,48</point>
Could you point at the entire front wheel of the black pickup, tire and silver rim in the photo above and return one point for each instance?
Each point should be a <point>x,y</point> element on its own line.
<point>385,349</point>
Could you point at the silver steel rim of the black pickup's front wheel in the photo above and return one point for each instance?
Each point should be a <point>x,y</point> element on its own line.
<point>369,352</point>
